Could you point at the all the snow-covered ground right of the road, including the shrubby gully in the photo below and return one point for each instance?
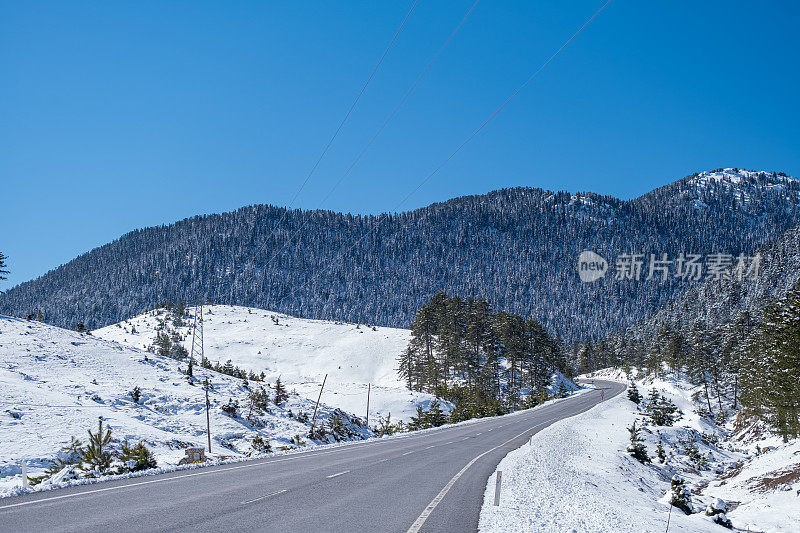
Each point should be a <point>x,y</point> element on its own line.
<point>577,475</point>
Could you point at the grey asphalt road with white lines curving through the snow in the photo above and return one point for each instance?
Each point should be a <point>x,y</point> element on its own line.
<point>429,481</point>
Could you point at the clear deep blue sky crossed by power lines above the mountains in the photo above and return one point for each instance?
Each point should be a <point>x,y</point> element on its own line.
<point>120,115</point>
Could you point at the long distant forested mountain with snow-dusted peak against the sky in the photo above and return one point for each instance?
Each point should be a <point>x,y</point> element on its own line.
<point>516,247</point>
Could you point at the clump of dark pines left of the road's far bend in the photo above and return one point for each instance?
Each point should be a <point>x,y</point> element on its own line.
<point>486,362</point>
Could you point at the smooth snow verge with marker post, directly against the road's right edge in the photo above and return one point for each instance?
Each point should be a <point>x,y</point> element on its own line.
<point>577,477</point>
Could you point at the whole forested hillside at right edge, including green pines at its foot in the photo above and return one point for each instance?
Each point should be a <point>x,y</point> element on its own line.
<point>738,340</point>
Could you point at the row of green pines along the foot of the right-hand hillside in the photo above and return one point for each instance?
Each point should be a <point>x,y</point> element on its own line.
<point>749,362</point>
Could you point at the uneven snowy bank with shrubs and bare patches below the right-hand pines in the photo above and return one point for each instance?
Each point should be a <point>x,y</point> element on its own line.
<point>749,468</point>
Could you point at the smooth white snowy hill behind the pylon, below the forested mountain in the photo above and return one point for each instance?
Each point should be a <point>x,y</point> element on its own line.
<point>300,351</point>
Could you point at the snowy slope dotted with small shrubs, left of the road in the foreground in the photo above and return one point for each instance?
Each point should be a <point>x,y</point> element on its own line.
<point>55,383</point>
